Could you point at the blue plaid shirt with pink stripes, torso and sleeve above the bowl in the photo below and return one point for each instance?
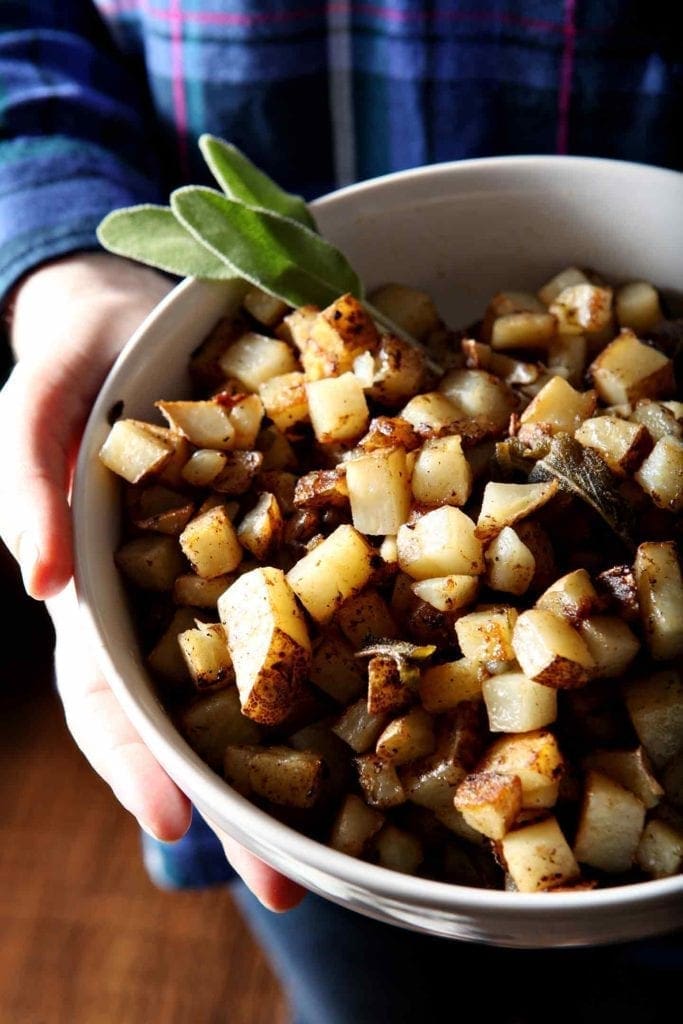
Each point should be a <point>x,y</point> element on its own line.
<point>102,101</point>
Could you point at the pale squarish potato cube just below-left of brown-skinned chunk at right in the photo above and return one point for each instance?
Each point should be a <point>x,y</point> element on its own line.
<point>517,704</point>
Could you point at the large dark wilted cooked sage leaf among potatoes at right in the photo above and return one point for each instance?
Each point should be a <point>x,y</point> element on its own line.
<point>582,473</point>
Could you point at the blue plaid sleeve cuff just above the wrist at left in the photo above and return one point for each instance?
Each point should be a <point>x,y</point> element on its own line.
<point>54,194</point>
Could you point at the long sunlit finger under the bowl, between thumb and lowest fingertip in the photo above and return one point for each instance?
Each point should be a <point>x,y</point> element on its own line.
<point>106,737</point>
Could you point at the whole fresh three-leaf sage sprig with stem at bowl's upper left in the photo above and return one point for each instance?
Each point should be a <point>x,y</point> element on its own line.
<point>253,230</point>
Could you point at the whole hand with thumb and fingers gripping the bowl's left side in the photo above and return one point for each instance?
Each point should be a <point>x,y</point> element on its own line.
<point>71,320</point>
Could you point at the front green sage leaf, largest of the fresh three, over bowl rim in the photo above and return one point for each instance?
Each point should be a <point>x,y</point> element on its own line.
<point>273,252</point>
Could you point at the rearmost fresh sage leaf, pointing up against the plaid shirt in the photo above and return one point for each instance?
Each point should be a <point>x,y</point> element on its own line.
<point>242,181</point>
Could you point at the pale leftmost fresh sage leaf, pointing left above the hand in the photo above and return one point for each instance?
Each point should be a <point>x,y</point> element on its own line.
<point>152,235</point>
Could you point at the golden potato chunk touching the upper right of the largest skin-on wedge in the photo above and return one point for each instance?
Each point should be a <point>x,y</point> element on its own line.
<point>336,570</point>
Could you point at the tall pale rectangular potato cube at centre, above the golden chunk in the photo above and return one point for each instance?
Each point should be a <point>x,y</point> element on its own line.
<point>379,490</point>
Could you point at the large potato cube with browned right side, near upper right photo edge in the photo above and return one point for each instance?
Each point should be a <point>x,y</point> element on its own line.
<point>628,370</point>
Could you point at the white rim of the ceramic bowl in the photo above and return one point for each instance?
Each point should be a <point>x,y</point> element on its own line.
<point>185,765</point>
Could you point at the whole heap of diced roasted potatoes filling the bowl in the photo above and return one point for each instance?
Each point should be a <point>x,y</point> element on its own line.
<point>434,619</point>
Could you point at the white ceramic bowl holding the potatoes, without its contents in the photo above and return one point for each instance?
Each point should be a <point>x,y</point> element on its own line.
<point>463,232</point>
